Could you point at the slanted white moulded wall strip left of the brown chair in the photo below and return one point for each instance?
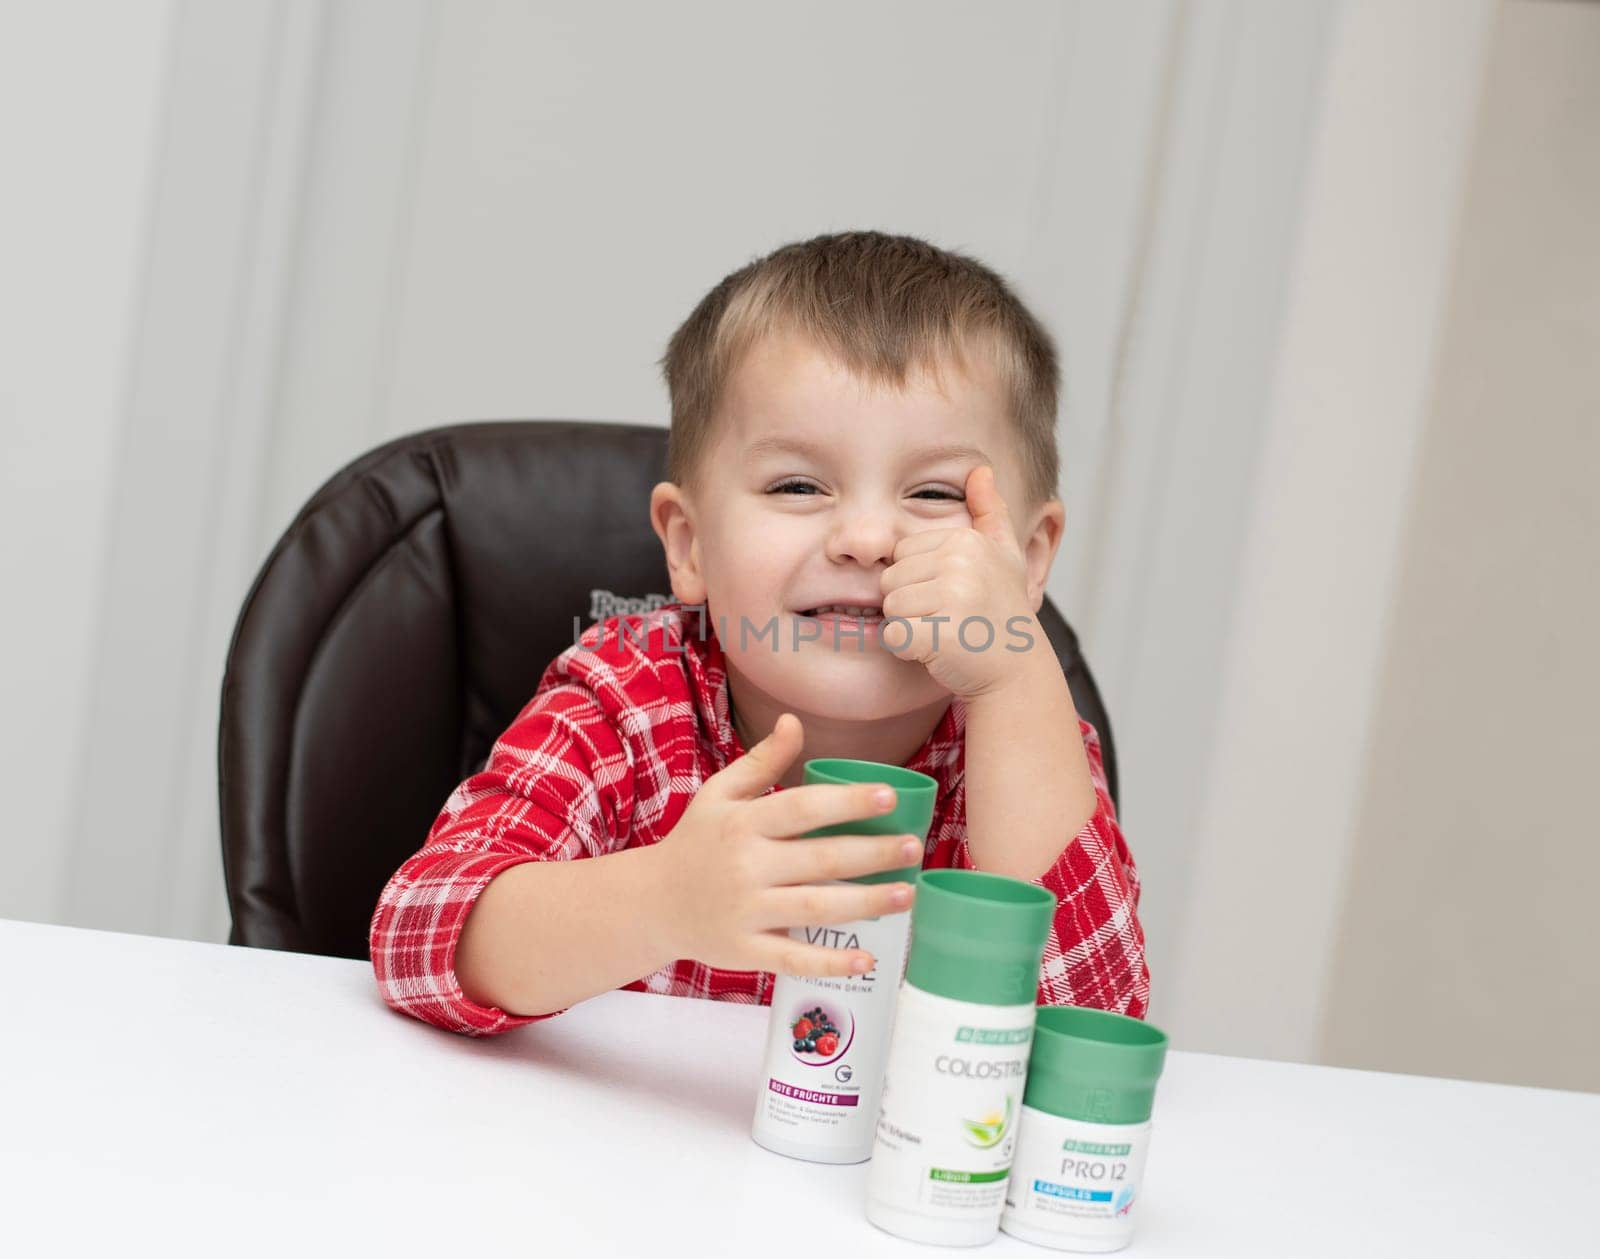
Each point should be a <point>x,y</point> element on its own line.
<point>198,410</point>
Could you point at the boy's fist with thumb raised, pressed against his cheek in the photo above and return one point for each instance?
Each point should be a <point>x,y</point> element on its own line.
<point>977,572</point>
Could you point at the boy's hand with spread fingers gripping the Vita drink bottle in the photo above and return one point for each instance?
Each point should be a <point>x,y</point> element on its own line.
<point>738,879</point>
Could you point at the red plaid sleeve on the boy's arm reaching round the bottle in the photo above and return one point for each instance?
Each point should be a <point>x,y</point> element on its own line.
<point>558,786</point>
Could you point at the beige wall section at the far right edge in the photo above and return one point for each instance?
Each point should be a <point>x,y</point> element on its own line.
<point>1470,938</point>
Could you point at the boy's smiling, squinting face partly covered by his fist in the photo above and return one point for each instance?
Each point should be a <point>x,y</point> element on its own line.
<point>809,484</point>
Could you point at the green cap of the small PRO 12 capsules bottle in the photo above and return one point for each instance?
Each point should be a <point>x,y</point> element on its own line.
<point>1094,1066</point>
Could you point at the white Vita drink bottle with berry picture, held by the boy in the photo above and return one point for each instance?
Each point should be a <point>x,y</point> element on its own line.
<point>828,1037</point>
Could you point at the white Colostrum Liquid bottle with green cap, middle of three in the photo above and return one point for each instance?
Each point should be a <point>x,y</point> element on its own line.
<point>959,1058</point>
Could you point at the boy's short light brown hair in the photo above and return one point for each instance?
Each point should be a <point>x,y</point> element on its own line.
<point>882,306</point>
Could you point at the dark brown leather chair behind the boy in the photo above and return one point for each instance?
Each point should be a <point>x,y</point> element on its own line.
<point>399,626</point>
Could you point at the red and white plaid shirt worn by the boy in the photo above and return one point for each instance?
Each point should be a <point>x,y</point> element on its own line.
<point>607,756</point>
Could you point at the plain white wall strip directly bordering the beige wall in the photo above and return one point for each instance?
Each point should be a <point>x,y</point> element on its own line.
<point>1286,764</point>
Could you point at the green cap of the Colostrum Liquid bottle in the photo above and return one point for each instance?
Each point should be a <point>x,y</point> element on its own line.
<point>978,937</point>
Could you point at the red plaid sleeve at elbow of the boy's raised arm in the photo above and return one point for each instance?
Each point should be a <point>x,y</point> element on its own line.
<point>1095,953</point>
